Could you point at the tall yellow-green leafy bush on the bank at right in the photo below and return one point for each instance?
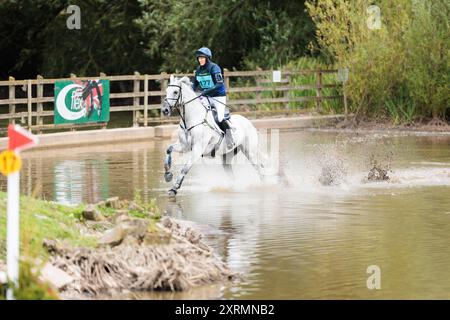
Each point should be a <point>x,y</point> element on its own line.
<point>406,59</point>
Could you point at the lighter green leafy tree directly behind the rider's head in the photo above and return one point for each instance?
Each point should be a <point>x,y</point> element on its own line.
<point>238,32</point>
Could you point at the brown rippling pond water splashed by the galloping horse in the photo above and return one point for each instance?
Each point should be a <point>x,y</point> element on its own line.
<point>305,241</point>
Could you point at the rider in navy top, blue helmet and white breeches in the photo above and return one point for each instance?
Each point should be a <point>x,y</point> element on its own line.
<point>209,80</point>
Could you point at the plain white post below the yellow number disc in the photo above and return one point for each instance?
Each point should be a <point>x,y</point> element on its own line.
<point>12,239</point>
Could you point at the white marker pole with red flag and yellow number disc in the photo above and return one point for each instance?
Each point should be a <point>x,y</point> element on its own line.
<point>10,164</point>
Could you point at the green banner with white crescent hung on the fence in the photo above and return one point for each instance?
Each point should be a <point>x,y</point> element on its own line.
<point>81,101</point>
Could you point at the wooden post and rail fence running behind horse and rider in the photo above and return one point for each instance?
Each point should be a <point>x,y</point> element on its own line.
<point>31,102</point>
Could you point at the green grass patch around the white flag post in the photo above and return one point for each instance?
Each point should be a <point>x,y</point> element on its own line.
<point>40,220</point>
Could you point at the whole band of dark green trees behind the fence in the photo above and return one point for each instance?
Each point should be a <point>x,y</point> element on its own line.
<point>118,37</point>
